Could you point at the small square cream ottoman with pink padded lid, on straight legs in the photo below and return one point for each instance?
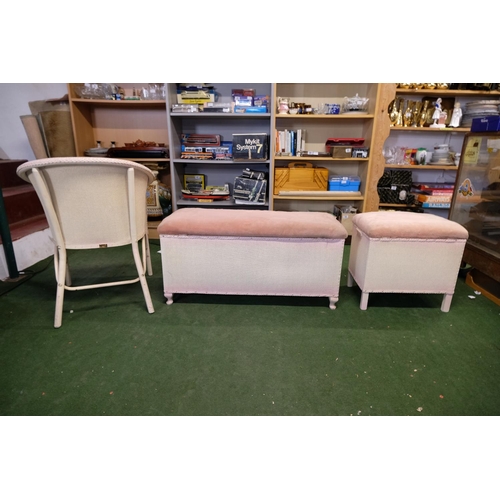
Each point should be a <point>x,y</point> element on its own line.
<point>405,252</point>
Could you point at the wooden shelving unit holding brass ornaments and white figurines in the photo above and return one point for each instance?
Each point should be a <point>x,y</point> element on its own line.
<point>414,137</point>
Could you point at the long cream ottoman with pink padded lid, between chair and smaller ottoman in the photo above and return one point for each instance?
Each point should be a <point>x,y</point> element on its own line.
<point>251,252</point>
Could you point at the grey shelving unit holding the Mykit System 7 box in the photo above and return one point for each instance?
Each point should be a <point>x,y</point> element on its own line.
<point>216,172</point>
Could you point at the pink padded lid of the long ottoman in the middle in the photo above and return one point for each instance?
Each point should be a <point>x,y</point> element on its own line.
<point>252,223</point>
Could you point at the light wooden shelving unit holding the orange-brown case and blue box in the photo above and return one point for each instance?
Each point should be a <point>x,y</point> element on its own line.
<point>372,126</point>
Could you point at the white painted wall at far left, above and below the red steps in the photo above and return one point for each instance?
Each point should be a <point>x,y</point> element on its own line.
<point>14,145</point>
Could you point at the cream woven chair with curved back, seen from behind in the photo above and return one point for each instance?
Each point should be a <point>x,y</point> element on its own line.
<point>92,203</point>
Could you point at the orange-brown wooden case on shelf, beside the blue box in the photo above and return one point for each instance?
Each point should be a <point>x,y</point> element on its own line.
<point>300,177</point>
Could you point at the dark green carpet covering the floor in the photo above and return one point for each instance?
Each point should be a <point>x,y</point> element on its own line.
<point>227,355</point>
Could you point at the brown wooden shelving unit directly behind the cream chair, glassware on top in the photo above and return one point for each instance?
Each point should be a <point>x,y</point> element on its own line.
<point>122,121</point>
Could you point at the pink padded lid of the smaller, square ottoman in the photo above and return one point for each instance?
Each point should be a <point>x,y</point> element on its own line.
<point>408,225</point>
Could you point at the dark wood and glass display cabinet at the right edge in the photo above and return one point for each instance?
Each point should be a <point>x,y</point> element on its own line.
<point>476,205</point>
